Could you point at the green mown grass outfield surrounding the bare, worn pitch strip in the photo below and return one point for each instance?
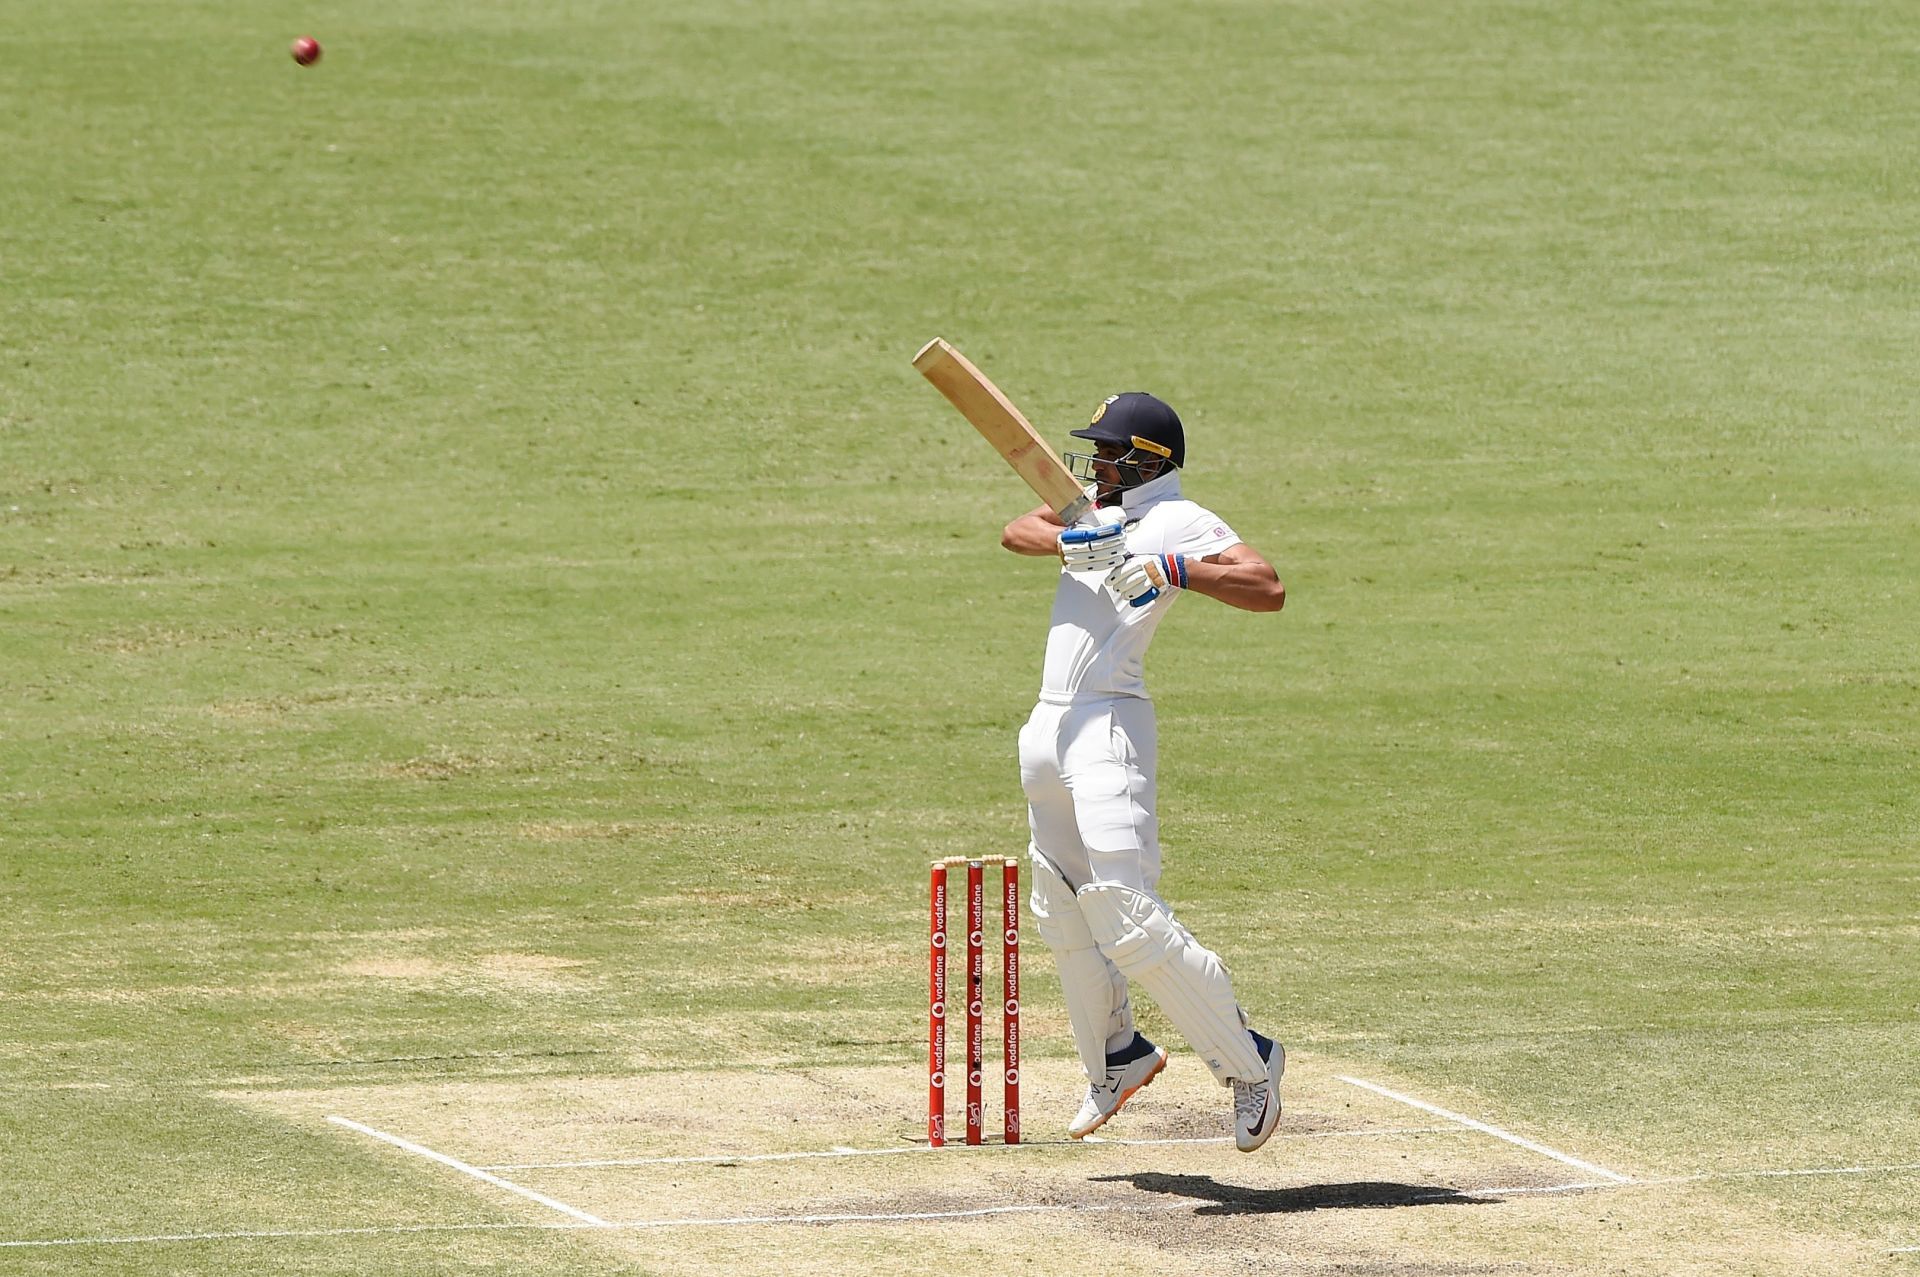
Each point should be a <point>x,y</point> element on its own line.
<point>483,594</point>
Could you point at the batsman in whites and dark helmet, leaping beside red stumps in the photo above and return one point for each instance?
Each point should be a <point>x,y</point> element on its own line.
<point>1088,765</point>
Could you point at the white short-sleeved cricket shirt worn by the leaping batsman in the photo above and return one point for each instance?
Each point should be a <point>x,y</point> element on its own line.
<point>1097,644</point>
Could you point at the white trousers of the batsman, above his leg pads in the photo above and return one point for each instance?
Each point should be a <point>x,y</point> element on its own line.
<point>1090,779</point>
